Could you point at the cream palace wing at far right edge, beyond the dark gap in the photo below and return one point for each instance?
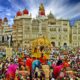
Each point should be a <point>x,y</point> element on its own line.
<point>75,31</point>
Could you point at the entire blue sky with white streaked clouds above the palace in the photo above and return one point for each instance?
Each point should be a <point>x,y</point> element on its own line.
<point>65,9</point>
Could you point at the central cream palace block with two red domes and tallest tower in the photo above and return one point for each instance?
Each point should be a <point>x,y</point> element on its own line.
<point>27,29</point>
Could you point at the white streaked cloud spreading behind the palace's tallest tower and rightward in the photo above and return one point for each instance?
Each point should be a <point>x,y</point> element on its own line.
<point>60,8</point>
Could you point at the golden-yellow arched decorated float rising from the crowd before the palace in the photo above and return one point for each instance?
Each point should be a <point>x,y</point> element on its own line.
<point>37,43</point>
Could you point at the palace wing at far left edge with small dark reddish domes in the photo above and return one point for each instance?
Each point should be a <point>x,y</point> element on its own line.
<point>5,32</point>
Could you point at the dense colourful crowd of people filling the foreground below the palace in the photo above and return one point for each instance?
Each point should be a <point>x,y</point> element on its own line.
<point>61,65</point>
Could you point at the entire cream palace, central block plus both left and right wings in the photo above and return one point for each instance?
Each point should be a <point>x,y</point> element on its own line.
<point>27,29</point>
